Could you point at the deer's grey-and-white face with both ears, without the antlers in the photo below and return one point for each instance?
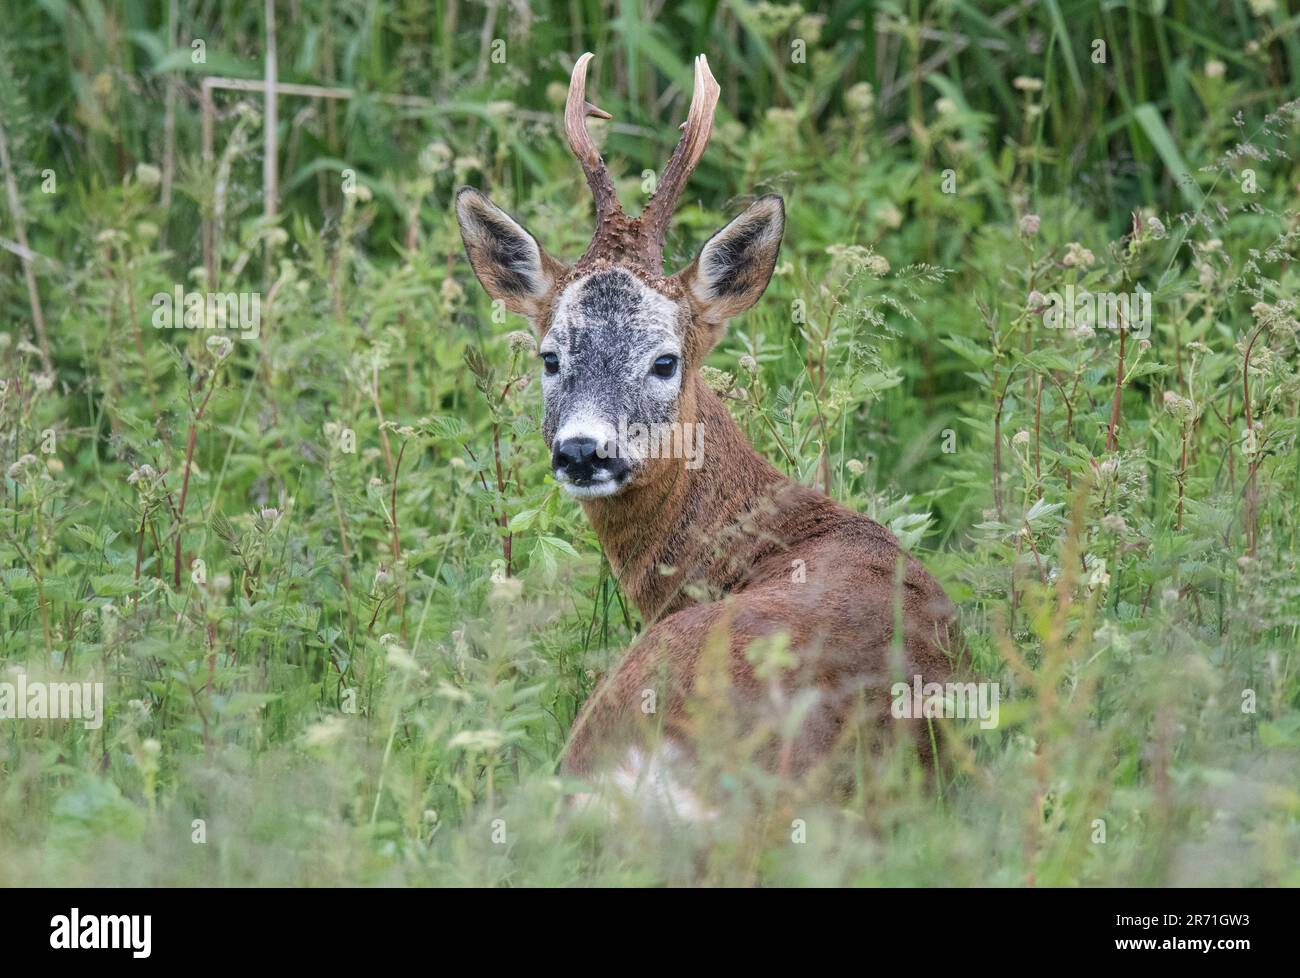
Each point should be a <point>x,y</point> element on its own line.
<point>618,354</point>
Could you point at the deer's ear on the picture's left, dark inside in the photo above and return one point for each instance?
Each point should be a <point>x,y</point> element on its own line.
<point>508,259</point>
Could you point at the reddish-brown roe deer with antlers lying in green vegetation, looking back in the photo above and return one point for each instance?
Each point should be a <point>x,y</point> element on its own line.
<point>716,556</point>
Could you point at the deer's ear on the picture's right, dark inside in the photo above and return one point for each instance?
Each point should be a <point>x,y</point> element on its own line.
<point>736,265</point>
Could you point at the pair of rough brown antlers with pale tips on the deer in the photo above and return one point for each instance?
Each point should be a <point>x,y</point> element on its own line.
<point>619,239</point>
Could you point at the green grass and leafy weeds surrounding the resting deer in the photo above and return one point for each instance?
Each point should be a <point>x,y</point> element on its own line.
<point>350,691</point>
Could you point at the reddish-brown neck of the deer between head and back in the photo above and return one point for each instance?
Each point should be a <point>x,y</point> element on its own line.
<point>662,534</point>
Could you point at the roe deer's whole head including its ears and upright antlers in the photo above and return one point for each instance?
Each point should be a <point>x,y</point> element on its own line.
<point>621,344</point>
